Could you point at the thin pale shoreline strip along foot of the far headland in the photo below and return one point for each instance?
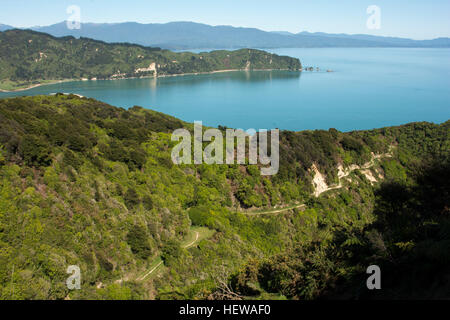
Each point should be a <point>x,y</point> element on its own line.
<point>144,77</point>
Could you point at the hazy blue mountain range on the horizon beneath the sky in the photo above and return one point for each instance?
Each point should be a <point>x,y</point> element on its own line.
<point>190,35</point>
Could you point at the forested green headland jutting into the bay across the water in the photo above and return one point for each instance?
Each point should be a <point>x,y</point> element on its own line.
<point>28,58</point>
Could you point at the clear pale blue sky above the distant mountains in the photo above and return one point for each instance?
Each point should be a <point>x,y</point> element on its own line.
<point>417,19</point>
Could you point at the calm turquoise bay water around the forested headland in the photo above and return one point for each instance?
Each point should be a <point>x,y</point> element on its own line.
<point>369,88</point>
